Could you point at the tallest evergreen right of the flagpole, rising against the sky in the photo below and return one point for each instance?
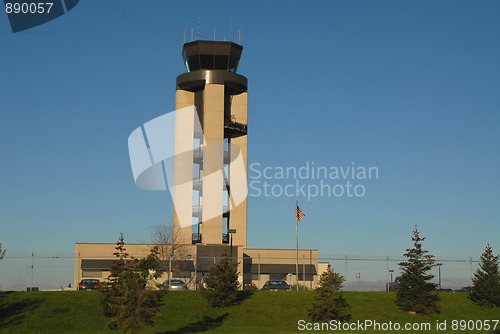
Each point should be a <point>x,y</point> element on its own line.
<point>416,292</point>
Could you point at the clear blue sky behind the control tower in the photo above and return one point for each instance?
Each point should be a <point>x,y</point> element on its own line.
<point>411,87</point>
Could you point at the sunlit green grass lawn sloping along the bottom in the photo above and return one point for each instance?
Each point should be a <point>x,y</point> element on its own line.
<point>187,312</point>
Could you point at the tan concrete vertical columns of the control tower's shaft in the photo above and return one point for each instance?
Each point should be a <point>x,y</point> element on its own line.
<point>210,105</point>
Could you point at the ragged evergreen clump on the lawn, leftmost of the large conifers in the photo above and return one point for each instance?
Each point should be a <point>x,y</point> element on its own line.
<point>124,298</point>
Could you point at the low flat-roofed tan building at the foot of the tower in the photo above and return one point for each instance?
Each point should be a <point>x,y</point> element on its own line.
<point>193,261</point>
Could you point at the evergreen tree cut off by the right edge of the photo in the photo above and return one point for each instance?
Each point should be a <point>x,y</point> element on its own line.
<point>486,280</point>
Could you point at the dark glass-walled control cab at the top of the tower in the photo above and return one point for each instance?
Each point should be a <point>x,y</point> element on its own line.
<point>211,55</point>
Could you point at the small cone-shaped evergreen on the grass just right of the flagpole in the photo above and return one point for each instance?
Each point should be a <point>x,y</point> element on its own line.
<point>329,304</point>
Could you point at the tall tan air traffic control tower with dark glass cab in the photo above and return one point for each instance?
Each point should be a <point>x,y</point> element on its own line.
<point>220,96</point>
